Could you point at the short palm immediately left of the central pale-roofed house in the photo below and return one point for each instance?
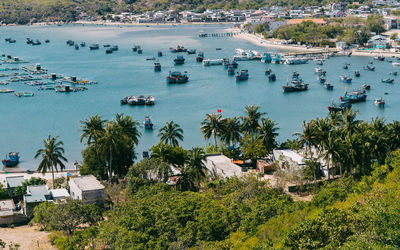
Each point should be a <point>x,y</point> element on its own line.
<point>195,161</point>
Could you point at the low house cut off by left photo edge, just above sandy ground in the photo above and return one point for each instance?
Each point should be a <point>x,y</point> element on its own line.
<point>9,215</point>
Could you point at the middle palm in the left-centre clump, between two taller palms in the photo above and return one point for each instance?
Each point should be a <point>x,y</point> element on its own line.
<point>111,142</point>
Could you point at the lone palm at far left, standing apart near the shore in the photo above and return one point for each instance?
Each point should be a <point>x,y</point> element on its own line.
<point>52,156</point>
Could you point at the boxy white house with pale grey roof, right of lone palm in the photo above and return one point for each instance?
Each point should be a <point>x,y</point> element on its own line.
<point>87,189</point>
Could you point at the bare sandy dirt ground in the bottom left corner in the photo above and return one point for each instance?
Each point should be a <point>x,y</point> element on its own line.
<point>26,237</point>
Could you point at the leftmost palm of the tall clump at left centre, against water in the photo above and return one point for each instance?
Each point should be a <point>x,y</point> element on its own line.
<point>93,129</point>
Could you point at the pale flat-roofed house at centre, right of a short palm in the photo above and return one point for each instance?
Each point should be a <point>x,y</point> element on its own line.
<point>222,166</point>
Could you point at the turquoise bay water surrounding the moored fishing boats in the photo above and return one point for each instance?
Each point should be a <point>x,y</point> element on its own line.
<point>25,122</point>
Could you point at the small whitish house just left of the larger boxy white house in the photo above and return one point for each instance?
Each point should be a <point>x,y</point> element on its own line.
<point>34,196</point>
